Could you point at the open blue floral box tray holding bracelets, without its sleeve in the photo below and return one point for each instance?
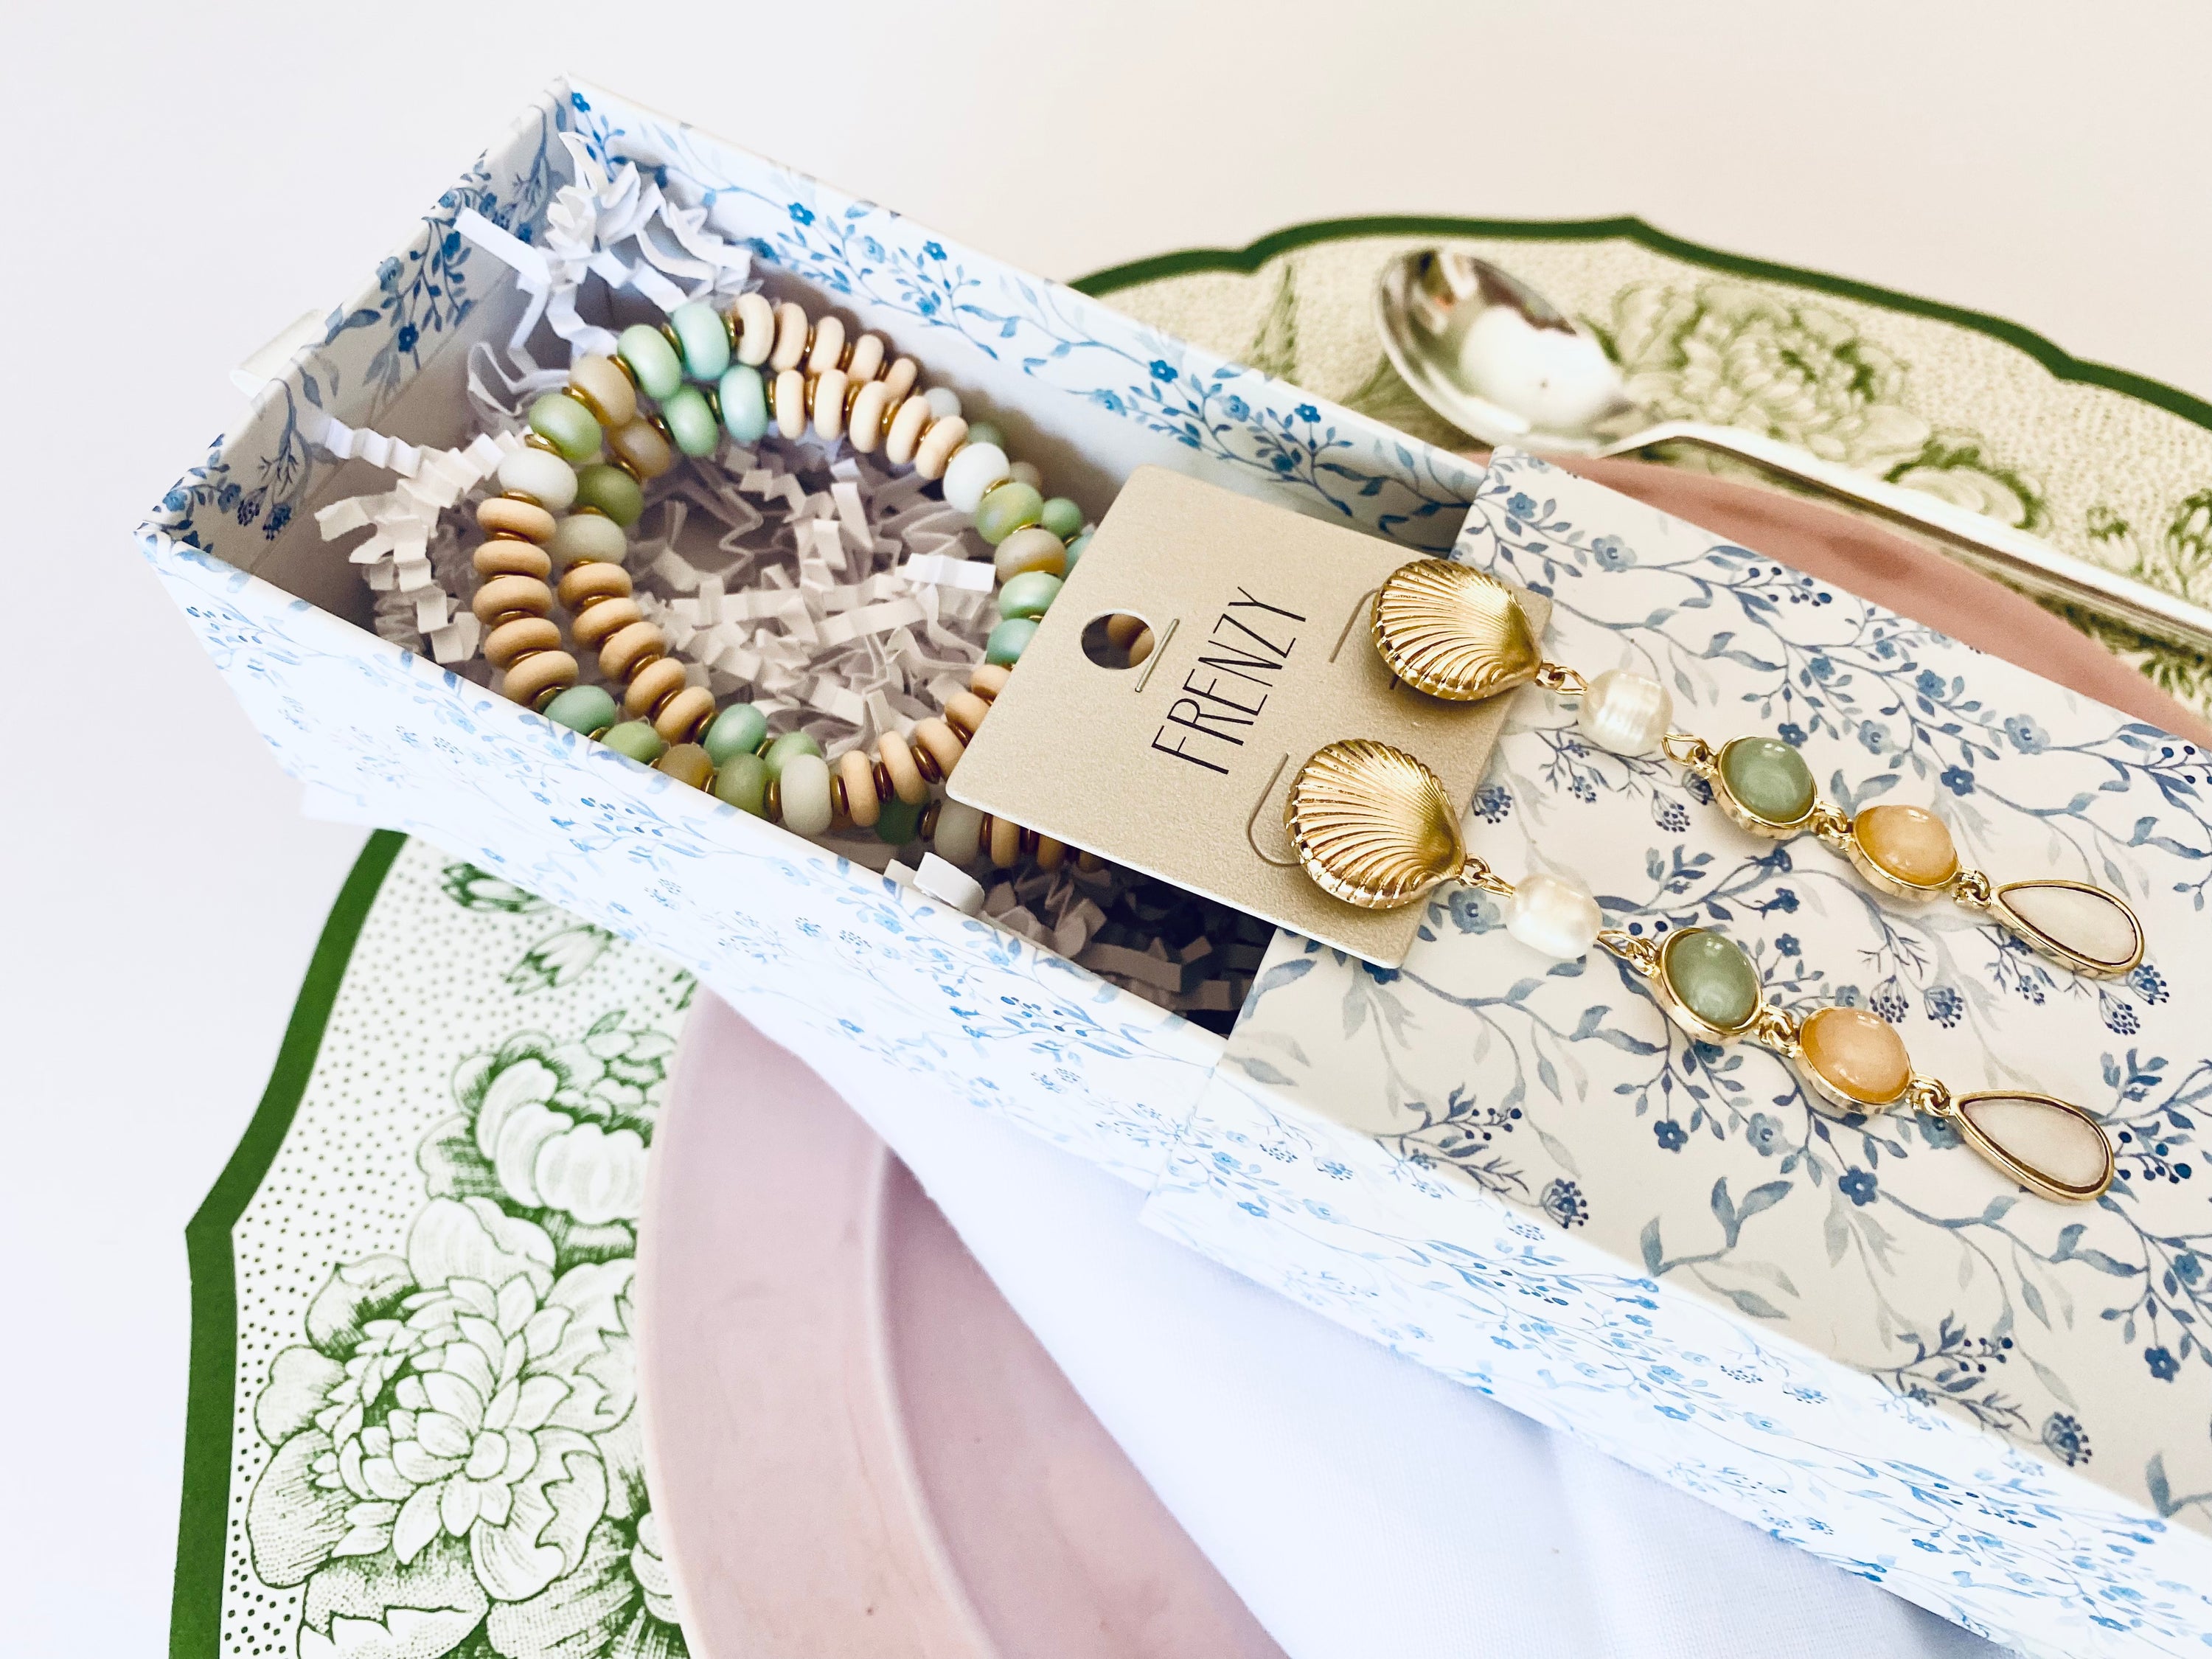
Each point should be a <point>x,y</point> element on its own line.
<point>859,974</point>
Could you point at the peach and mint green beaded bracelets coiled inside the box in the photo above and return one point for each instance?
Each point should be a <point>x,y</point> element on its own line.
<point>815,379</point>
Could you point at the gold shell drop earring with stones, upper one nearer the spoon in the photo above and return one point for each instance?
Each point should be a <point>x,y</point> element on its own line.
<point>1461,636</point>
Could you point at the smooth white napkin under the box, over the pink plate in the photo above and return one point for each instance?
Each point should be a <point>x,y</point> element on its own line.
<point>1361,1505</point>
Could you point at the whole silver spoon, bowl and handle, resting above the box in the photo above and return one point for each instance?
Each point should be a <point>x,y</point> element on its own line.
<point>1505,366</point>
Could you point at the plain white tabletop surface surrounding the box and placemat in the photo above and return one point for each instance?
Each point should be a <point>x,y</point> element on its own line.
<point>191,178</point>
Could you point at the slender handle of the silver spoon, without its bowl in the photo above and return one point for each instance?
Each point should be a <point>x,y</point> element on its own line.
<point>1981,543</point>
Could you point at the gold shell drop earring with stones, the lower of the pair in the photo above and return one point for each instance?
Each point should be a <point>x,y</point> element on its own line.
<point>1377,828</point>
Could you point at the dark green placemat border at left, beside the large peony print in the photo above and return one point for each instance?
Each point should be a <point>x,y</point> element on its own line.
<point>196,1609</point>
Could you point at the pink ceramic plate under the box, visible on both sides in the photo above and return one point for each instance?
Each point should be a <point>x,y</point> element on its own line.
<point>855,1443</point>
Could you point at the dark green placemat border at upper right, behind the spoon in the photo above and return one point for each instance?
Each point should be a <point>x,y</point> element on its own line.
<point>1251,258</point>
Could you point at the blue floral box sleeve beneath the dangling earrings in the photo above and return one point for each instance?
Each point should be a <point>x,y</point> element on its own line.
<point>1853,1333</point>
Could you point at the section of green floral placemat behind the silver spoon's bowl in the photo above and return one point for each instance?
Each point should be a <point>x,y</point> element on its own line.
<point>1970,408</point>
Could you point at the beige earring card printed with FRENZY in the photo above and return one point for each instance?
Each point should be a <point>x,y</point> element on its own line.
<point>1202,649</point>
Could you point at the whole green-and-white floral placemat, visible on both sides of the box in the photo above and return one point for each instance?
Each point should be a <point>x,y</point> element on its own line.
<point>413,1415</point>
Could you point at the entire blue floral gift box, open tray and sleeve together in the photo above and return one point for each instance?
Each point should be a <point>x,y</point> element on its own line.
<point>1992,1406</point>
